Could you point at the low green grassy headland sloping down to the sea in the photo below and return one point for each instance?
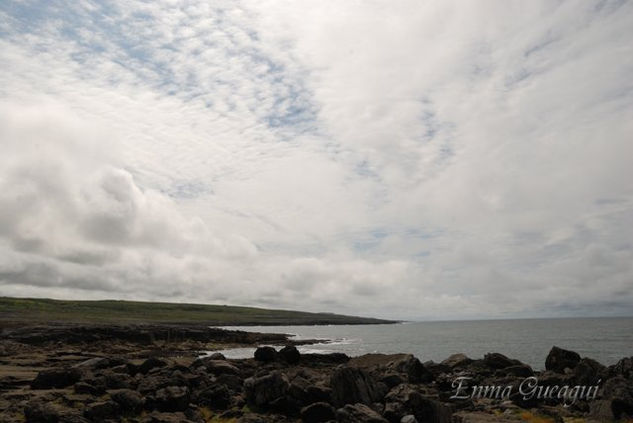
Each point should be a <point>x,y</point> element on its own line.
<point>115,311</point>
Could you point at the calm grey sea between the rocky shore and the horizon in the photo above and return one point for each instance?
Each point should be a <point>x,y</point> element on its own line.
<point>529,340</point>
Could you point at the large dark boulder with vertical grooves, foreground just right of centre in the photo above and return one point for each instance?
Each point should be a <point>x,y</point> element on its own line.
<point>352,385</point>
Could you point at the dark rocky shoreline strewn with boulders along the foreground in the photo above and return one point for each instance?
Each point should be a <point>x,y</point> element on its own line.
<point>154,373</point>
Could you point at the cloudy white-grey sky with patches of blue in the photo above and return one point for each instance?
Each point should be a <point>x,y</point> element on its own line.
<point>410,159</point>
